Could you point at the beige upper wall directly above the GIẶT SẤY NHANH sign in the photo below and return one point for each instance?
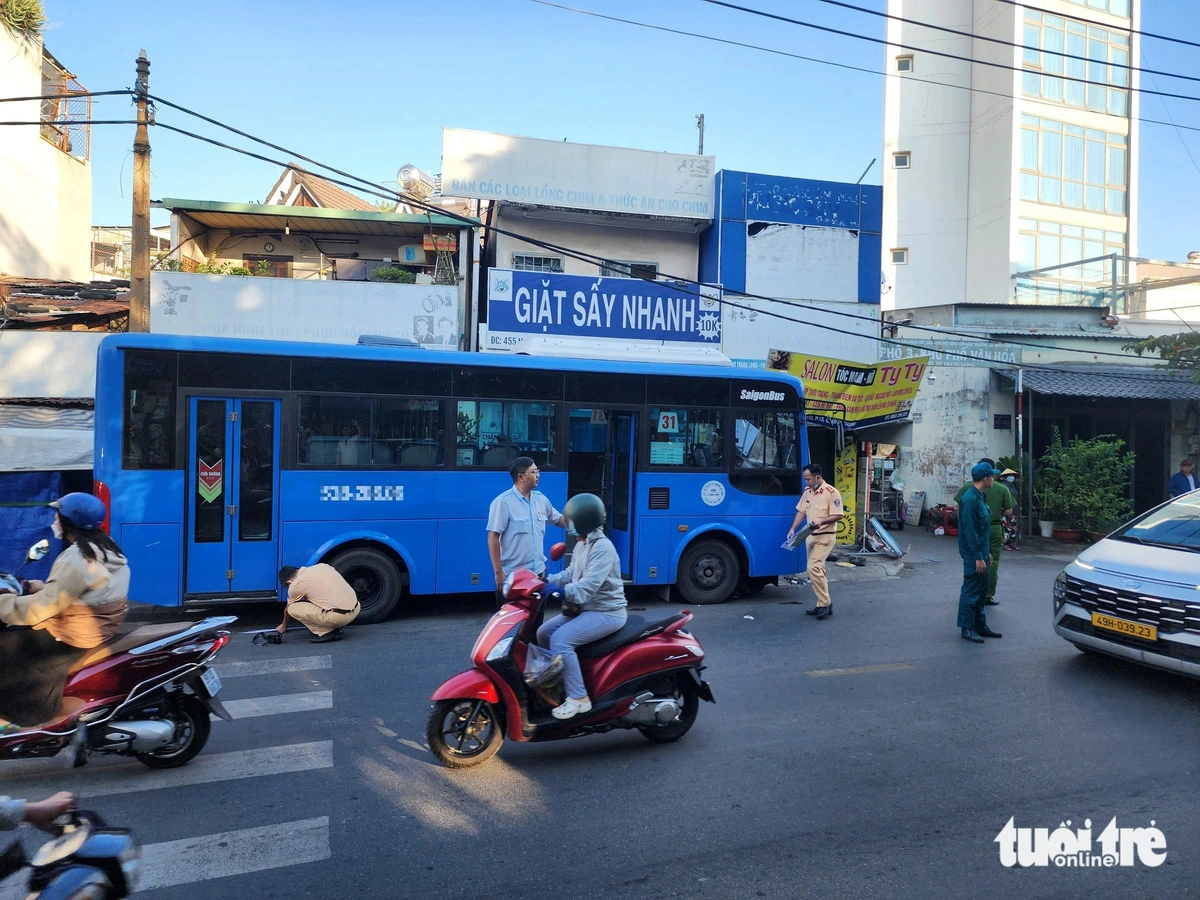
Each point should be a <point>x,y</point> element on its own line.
<point>676,253</point>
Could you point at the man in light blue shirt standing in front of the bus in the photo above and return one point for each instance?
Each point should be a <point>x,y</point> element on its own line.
<point>517,525</point>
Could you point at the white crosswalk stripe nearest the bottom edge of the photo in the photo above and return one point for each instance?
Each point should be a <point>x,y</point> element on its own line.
<point>249,850</point>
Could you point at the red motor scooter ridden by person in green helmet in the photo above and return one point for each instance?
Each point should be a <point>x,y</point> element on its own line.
<point>646,676</point>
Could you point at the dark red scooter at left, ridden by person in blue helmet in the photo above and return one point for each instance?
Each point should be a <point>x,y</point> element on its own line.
<point>147,694</point>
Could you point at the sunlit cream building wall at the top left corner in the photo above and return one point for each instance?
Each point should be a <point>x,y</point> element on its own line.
<point>45,195</point>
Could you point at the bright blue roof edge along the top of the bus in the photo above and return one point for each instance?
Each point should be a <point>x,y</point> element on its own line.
<point>452,358</point>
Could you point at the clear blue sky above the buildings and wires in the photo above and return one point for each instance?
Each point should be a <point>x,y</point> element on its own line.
<point>367,86</point>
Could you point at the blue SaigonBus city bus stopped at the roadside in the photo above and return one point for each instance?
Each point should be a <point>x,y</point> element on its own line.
<point>221,460</point>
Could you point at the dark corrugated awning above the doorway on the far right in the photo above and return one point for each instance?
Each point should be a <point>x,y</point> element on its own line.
<point>1120,382</point>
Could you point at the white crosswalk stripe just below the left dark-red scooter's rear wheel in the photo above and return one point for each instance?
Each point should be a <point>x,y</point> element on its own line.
<point>134,777</point>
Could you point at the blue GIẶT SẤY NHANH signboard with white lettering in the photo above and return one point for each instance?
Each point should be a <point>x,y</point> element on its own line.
<point>523,305</point>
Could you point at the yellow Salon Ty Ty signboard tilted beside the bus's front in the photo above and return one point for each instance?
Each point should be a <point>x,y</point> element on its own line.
<point>871,394</point>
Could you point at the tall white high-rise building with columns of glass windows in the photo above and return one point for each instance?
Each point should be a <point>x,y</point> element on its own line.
<point>1021,155</point>
